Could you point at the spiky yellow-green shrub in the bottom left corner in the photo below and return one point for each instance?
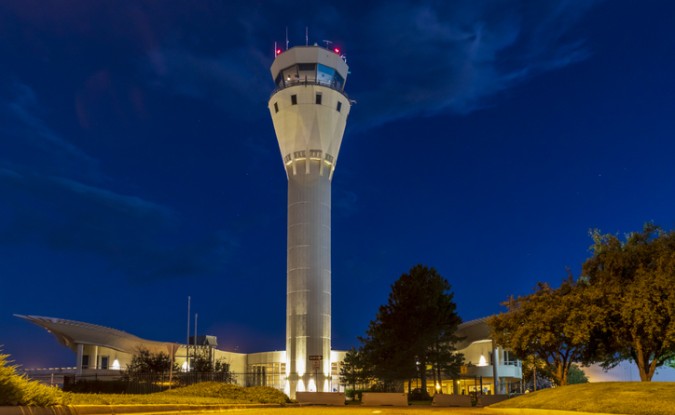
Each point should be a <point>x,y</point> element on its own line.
<point>16,389</point>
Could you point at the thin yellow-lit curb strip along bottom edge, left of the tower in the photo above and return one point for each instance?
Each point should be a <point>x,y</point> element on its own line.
<point>122,409</point>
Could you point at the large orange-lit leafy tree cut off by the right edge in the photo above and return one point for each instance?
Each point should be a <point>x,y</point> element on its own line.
<point>633,280</point>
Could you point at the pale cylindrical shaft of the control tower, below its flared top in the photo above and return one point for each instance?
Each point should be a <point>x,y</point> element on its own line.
<point>308,295</point>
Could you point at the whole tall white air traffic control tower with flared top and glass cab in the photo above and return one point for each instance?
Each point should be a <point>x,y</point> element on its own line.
<point>309,110</point>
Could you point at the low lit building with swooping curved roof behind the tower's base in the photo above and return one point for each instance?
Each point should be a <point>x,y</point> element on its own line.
<point>103,352</point>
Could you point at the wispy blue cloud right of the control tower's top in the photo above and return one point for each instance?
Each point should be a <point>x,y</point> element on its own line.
<point>455,57</point>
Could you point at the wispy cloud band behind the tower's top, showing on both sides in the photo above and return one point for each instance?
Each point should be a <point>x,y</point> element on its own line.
<point>409,57</point>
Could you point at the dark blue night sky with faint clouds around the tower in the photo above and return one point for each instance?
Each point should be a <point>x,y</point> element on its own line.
<point>138,162</point>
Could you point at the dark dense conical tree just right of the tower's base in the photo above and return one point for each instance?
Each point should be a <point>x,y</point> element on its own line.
<point>414,330</point>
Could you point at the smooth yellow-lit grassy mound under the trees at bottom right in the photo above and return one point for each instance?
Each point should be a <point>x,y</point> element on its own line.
<point>639,398</point>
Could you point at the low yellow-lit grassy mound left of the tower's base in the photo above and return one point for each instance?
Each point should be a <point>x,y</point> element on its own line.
<point>206,393</point>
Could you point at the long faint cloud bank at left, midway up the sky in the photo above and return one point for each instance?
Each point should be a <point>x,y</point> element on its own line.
<point>141,239</point>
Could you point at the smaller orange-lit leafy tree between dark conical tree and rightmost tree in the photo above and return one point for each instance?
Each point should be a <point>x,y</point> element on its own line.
<point>553,325</point>
